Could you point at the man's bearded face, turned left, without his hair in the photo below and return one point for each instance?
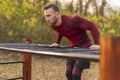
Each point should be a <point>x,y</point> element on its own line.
<point>50,16</point>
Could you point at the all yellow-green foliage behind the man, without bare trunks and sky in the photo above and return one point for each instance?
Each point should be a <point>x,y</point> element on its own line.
<point>24,19</point>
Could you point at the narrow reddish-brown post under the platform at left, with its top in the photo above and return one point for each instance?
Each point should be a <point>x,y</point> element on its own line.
<point>27,62</point>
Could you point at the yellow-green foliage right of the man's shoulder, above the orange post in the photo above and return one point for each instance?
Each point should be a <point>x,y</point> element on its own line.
<point>107,26</point>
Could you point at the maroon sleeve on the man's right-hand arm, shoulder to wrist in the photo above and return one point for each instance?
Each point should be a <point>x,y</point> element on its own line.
<point>84,24</point>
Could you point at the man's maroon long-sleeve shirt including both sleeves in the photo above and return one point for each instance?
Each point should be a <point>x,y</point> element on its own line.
<point>74,29</point>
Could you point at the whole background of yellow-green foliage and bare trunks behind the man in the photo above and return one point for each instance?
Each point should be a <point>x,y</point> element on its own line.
<point>24,18</point>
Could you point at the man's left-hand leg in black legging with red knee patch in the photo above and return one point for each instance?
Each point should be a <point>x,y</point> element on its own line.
<point>69,68</point>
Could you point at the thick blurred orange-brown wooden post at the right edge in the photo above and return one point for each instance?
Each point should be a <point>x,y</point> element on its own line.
<point>110,58</point>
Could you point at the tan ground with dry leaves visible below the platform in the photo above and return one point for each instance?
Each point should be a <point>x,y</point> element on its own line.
<point>43,68</point>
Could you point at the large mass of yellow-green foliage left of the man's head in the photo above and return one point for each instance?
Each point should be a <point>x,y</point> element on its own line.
<point>22,19</point>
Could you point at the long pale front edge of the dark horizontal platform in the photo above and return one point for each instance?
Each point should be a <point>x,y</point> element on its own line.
<point>89,55</point>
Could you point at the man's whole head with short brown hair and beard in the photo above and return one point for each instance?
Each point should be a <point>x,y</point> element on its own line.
<point>52,14</point>
